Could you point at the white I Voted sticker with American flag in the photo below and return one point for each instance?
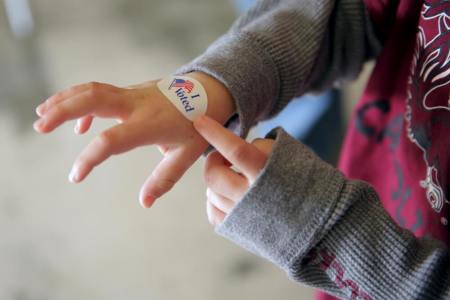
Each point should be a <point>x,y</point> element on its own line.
<point>186,93</point>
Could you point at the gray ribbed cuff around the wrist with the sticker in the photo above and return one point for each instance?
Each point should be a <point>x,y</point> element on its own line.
<point>253,83</point>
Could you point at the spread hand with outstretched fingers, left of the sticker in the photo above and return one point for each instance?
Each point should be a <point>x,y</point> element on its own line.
<point>145,117</point>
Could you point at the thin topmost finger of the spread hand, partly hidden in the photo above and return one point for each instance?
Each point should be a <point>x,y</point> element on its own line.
<point>70,92</point>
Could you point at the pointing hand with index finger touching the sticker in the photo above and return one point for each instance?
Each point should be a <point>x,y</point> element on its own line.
<point>225,185</point>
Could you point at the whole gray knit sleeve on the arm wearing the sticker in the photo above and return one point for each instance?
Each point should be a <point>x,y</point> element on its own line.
<point>280,49</point>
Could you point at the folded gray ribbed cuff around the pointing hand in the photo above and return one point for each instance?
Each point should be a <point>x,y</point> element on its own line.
<point>284,213</point>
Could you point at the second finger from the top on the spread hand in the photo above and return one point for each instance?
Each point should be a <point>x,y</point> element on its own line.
<point>98,103</point>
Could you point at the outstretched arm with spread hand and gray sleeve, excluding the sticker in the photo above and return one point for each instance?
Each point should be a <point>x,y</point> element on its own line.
<point>265,59</point>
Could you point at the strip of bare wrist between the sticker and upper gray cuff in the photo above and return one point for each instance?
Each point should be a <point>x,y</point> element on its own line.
<point>220,102</point>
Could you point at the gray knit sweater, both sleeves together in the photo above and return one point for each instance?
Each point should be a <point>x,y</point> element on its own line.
<point>301,213</point>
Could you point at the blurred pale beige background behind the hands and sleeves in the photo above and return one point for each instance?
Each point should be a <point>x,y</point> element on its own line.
<point>93,240</point>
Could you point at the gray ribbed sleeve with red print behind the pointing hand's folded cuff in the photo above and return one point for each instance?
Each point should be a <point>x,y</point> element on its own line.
<point>364,253</point>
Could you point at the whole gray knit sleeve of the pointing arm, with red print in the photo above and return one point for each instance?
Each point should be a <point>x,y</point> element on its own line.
<point>332,233</point>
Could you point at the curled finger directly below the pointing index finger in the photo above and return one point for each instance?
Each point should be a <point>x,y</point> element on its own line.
<point>223,180</point>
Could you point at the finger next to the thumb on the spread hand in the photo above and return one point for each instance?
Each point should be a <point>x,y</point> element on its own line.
<point>115,140</point>
